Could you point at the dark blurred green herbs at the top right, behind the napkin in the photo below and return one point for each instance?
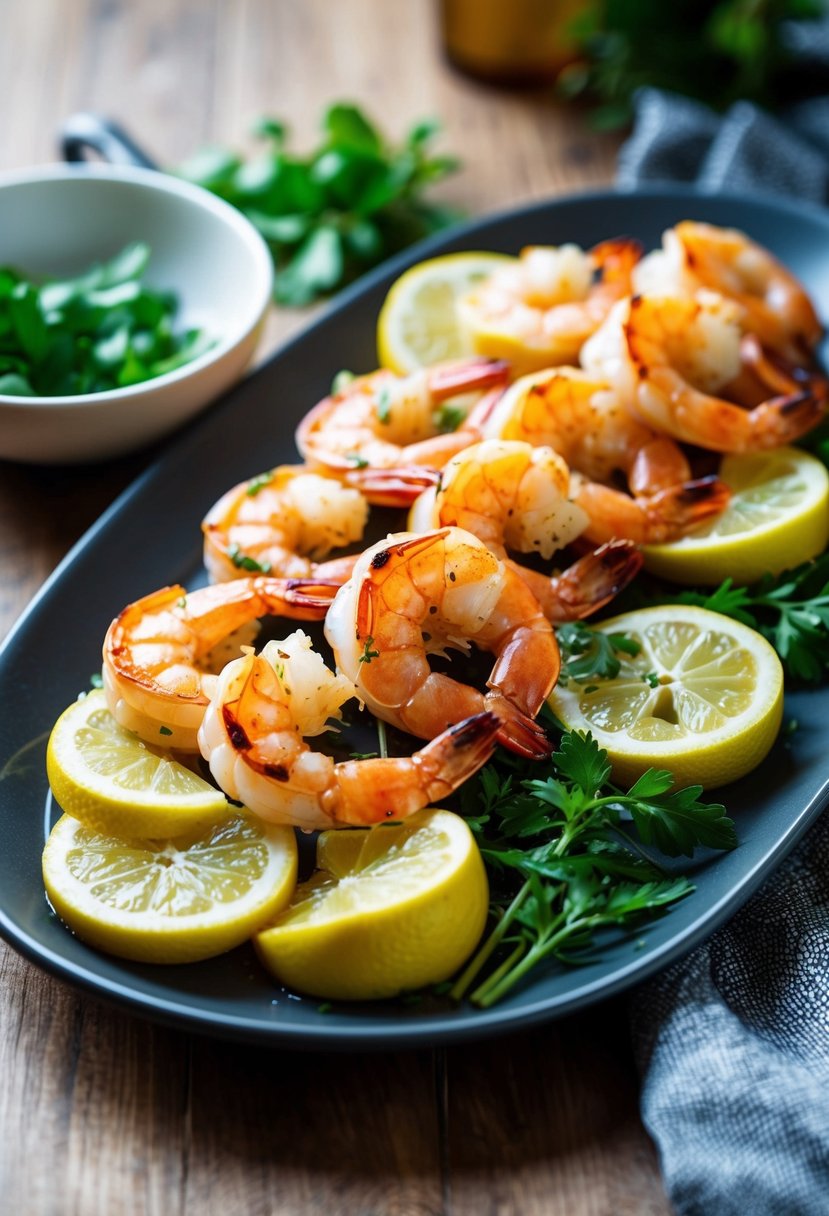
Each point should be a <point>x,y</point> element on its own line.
<point>714,50</point>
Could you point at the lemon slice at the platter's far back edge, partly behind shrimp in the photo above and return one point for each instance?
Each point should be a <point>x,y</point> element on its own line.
<point>419,324</point>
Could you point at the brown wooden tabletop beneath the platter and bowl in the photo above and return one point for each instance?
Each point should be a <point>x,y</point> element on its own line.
<point>103,1113</point>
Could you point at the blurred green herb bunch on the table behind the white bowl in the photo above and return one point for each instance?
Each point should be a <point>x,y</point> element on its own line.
<point>332,215</point>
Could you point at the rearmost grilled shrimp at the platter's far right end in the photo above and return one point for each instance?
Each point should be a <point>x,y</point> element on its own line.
<point>775,305</point>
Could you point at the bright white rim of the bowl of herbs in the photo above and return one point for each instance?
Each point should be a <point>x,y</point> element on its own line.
<point>156,181</point>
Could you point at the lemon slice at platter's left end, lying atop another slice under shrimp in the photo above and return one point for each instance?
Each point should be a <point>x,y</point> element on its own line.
<point>111,781</point>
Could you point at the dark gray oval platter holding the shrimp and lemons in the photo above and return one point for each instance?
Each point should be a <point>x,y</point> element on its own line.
<point>151,537</point>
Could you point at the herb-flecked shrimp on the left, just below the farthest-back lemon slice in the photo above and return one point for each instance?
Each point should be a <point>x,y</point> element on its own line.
<point>387,421</point>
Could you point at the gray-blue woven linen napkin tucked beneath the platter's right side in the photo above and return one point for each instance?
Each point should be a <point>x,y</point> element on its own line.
<point>734,1042</point>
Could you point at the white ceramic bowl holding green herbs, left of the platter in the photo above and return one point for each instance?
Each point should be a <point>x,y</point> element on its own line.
<point>59,221</point>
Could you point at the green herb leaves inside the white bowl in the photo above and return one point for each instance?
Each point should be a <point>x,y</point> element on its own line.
<point>99,331</point>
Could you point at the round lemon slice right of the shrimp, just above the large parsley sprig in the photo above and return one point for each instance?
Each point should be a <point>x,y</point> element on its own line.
<point>703,699</point>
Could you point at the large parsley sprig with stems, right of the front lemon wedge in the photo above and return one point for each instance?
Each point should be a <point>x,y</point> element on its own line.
<point>563,864</point>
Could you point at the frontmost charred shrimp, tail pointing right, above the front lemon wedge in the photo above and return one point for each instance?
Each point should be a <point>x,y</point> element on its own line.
<point>255,740</point>
